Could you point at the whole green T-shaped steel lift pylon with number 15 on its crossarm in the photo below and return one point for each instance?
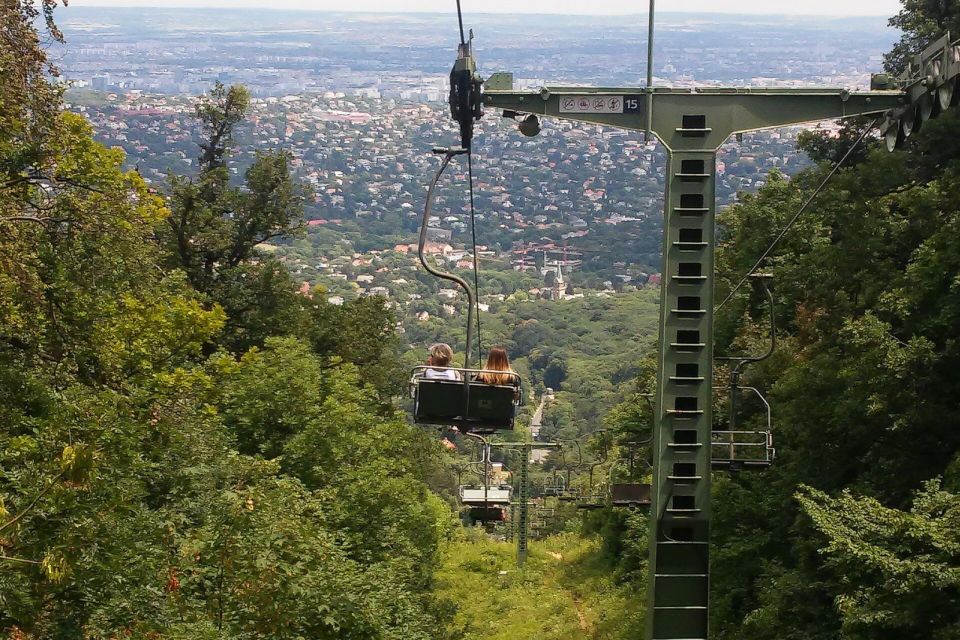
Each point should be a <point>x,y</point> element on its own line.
<point>692,125</point>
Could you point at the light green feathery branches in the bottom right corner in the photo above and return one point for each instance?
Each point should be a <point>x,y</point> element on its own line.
<point>901,569</point>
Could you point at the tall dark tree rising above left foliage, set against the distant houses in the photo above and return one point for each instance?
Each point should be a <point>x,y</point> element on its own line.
<point>214,228</point>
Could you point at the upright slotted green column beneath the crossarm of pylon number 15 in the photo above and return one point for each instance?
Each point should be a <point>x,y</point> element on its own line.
<point>680,531</point>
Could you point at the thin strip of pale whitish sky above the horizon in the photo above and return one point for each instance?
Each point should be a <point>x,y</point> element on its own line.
<point>821,7</point>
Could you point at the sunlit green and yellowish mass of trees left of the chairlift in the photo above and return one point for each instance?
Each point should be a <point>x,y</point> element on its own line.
<point>149,489</point>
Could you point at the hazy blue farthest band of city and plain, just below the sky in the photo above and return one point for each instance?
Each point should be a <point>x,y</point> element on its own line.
<point>408,56</point>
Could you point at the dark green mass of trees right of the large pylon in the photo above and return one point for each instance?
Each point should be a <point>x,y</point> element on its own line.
<point>865,373</point>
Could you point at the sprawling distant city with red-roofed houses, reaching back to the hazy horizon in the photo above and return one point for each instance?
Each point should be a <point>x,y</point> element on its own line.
<point>357,100</point>
